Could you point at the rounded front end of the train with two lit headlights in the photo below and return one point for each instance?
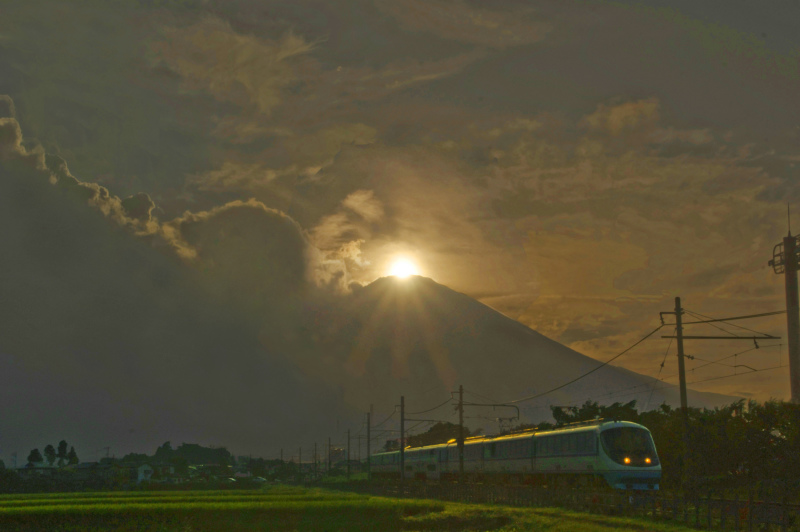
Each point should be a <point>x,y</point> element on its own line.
<point>627,456</point>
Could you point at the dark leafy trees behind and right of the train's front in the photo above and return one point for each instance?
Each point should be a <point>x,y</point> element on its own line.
<point>744,443</point>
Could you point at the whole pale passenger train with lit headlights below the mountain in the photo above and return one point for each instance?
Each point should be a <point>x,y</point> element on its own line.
<point>614,454</point>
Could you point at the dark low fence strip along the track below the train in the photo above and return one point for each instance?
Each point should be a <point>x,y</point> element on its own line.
<point>706,511</point>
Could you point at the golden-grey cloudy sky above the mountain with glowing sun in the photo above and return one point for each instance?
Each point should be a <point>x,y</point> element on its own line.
<point>575,165</point>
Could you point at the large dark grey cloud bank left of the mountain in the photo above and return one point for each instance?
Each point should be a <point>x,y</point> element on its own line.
<point>92,315</point>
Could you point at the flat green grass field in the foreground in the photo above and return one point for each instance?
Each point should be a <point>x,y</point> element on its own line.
<point>284,509</point>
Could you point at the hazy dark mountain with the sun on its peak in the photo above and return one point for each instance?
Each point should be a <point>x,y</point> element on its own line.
<point>417,338</point>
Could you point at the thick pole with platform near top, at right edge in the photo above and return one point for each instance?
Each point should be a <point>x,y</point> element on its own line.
<point>785,261</point>
